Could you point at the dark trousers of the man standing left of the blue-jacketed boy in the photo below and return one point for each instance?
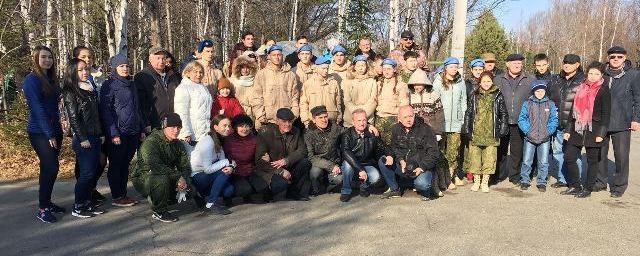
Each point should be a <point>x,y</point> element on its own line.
<point>512,145</point>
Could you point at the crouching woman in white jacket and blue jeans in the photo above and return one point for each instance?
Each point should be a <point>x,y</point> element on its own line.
<point>211,169</point>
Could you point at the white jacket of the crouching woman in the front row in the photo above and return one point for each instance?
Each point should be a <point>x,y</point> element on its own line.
<point>205,159</point>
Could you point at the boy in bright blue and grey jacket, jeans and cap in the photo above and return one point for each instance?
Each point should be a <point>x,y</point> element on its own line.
<point>538,120</point>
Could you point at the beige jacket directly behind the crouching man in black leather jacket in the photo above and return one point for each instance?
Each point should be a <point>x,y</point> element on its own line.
<point>359,92</point>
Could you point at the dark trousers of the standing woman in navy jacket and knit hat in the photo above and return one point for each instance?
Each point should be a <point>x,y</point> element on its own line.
<point>119,159</point>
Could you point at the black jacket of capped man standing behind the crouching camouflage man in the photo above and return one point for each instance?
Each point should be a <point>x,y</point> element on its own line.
<point>155,95</point>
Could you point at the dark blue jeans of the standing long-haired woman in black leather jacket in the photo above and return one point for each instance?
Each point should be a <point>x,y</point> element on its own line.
<point>87,161</point>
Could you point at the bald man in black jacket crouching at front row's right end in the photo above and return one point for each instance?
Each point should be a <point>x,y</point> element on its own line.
<point>415,149</point>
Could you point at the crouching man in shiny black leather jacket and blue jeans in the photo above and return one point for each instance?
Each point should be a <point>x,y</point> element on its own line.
<point>360,150</point>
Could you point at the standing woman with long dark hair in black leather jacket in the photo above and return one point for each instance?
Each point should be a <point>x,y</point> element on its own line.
<point>81,106</point>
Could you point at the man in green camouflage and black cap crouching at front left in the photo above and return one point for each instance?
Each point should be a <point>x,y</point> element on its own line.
<point>162,168</point>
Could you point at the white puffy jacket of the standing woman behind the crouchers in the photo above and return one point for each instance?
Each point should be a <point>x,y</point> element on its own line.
<point>193,103</point>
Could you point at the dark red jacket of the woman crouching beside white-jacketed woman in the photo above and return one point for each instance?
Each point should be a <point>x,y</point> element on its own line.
<point>242,150</point>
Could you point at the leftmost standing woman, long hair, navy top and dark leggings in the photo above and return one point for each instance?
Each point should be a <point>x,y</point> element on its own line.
<point>45,132</point>
